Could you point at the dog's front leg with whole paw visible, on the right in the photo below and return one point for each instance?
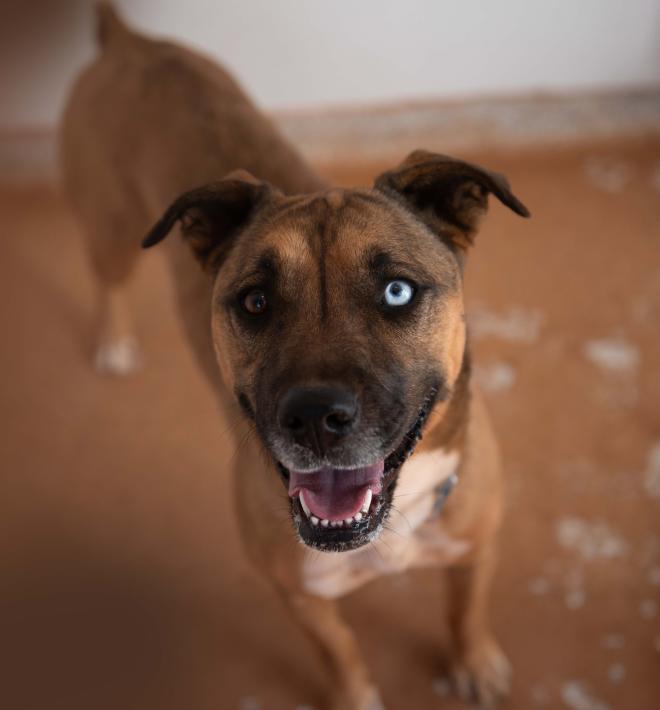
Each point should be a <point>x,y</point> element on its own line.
<point>479,669</point>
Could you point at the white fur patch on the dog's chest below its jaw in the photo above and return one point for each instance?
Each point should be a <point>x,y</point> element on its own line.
<point>403,543</point>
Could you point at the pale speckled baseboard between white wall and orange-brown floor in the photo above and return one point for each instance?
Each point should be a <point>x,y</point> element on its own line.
<point>387,132</point>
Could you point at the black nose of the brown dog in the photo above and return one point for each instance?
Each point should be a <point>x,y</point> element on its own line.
<point>318,416</point>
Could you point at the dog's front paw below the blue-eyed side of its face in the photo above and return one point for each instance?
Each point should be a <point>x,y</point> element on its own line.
<point>483,676</point>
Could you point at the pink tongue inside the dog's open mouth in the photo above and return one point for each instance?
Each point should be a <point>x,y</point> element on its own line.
<point>335,493</point>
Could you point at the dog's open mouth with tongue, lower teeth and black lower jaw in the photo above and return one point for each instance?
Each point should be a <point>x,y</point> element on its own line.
<point>335,509</point>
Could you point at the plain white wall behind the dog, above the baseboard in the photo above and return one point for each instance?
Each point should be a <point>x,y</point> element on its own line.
<point>301,53</point>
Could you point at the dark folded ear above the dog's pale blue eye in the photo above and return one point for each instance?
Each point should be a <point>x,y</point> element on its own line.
<point>449,195</point>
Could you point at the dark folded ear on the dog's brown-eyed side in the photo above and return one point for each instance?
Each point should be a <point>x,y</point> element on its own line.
<point>212,215</point>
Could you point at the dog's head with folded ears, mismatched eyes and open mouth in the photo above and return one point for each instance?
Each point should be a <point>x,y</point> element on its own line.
<point>338,324</point>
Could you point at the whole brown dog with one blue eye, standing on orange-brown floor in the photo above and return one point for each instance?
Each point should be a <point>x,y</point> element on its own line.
<point>330,323</point>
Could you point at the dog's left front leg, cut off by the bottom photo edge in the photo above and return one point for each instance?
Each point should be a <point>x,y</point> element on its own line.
<point>323,623</point>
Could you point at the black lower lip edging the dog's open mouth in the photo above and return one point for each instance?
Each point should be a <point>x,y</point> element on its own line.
<point>363,532</point>
